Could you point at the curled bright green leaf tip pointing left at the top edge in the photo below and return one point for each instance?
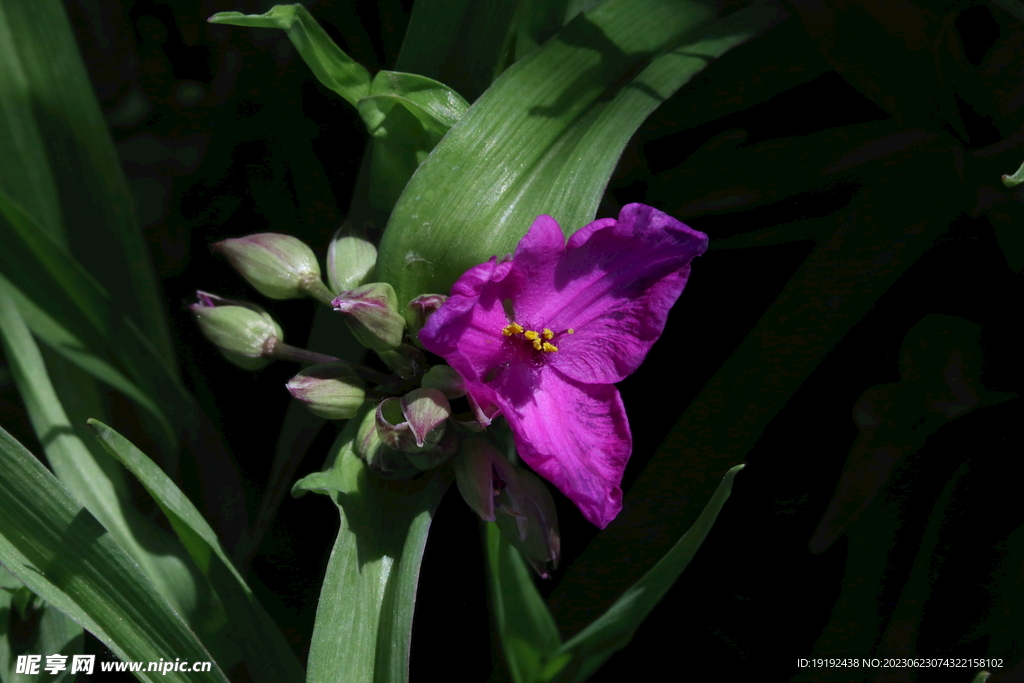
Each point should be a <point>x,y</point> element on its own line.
<point>332,67</point>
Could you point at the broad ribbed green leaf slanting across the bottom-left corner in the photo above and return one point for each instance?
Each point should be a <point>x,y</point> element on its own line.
<point>65,556</point>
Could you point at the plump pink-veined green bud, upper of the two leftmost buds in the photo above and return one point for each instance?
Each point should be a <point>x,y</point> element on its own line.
<point>280,267</point>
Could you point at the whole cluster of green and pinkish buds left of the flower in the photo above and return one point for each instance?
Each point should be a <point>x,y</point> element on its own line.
<point>411,430</point>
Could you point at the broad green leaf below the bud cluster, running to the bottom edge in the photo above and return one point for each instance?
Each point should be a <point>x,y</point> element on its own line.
<point>365,616</point>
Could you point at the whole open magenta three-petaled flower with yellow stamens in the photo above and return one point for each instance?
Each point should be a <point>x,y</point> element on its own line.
<point>543,337</point>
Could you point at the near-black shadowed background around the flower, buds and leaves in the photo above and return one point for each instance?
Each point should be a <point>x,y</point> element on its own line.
<point>224,133</point>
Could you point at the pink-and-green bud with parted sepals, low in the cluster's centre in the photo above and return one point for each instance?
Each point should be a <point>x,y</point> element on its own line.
<point>416,422</point>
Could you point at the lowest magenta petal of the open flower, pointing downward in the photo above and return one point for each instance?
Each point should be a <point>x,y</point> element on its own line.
<point>576,437</point>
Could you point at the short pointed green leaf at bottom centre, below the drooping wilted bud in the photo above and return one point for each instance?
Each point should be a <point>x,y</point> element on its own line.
<point>528,630</point>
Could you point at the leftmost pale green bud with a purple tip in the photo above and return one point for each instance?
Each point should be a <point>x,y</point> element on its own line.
<point>245,333</point>
